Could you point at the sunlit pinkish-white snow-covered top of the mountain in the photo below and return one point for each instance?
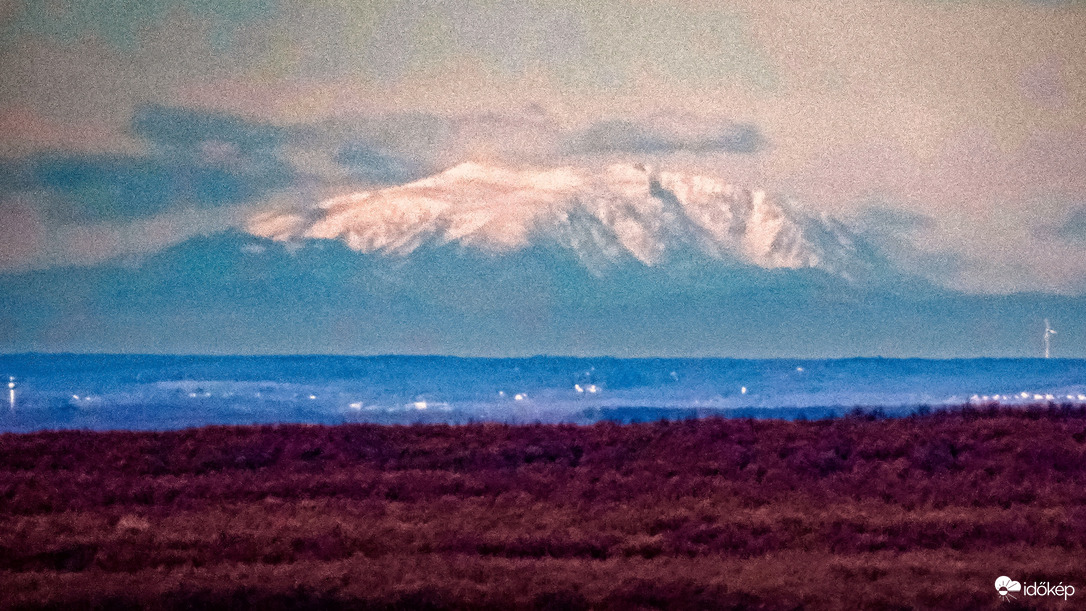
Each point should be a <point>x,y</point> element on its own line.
<point>604,218</point>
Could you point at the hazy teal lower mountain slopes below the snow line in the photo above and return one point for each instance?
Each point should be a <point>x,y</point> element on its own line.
<point>236,294</point>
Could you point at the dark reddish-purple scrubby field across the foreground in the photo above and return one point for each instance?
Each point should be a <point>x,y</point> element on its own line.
<point>850,514</point>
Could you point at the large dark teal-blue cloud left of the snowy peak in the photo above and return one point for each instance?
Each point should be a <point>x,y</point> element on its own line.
<point>199,160</point>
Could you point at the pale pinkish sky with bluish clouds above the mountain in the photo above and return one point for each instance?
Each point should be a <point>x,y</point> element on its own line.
<point>951,134</point>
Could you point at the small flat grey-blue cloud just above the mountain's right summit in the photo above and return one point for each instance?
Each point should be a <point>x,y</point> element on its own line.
<point>618,136</point>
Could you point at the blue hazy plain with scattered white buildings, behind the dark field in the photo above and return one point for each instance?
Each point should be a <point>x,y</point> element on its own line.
<point>171,392</point>
